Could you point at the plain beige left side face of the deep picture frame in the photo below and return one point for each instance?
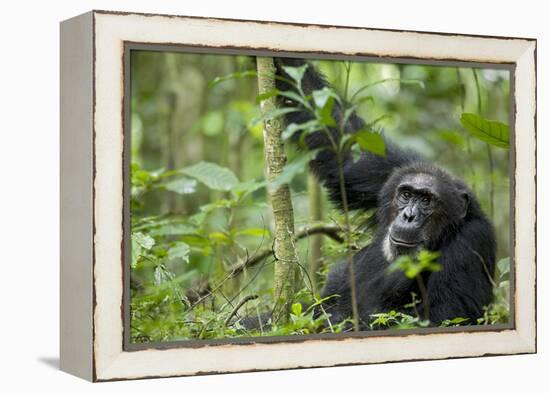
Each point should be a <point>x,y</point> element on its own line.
<point>76,193</point>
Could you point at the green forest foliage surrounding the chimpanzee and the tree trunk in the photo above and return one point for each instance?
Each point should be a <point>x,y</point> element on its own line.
<point>198,197</point>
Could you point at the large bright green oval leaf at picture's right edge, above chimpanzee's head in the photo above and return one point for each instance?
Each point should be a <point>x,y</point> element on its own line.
<point>493,132</point>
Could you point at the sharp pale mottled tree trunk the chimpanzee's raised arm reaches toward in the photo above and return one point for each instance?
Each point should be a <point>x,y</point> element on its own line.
<point>286,264</point>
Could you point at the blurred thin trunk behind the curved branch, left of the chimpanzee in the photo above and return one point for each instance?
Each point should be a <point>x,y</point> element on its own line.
<point>316,242</point>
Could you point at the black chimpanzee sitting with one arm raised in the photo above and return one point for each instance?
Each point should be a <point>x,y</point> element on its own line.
<point>417,206</point>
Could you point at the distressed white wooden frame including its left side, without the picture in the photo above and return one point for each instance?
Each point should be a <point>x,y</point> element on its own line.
<point>93,49</point>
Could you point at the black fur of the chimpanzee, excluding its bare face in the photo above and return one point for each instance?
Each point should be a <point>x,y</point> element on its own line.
<point>466,241</point>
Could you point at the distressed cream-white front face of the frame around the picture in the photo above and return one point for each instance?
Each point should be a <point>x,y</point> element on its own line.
<point>111,30</point>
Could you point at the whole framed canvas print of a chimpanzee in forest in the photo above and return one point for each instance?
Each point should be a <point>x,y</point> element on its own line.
<point>244,195</point>
